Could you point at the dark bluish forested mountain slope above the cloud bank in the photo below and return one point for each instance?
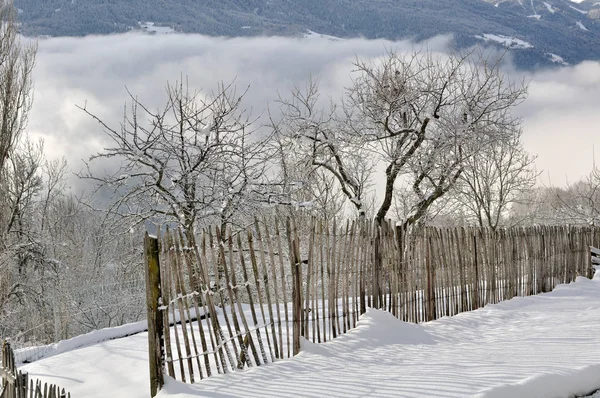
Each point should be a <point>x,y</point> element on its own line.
<point>561,27</point>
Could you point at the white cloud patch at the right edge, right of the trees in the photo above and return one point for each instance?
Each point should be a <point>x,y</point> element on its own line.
<point>561,121</point>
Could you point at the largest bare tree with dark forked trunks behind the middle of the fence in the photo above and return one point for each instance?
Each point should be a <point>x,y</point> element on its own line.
<point>419,114</point>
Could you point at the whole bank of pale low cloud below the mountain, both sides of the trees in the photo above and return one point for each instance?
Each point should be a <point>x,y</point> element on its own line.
<point>561,115</point>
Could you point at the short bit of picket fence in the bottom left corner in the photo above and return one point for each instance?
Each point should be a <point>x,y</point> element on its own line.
<point>16,384</point>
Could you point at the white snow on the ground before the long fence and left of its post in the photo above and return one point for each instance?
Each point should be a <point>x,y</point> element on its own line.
<point>541,346</point>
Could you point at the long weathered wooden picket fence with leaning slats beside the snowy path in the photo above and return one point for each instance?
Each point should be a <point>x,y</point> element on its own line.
<point>227,300</point>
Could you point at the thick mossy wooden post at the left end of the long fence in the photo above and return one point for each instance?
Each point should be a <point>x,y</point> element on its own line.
<point>155,315</point>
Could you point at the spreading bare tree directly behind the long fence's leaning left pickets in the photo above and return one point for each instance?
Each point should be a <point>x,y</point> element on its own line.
<point>193,160</point>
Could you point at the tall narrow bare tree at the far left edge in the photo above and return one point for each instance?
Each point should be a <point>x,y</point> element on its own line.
<point>18,179</point>
